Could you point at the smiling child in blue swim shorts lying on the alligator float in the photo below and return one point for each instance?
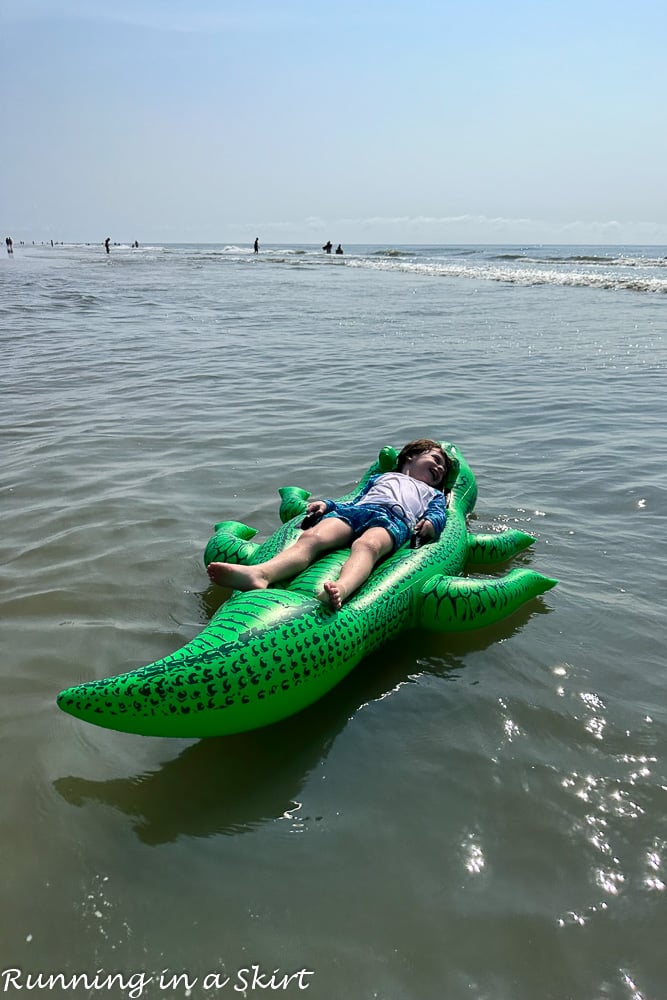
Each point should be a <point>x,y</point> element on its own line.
<point>391,507</point>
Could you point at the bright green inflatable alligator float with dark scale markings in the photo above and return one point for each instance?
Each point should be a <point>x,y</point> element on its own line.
<point>267,654</point>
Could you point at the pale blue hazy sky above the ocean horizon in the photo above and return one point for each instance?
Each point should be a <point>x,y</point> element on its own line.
<point>359,121</point>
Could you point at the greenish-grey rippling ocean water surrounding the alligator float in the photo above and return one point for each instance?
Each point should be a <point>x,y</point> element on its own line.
<point>472,817</point>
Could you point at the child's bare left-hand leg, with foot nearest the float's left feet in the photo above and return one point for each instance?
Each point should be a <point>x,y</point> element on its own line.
<point>331,533</point>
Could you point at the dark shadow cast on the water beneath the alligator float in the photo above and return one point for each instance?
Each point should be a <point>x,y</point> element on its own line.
<point>233,784</point>
